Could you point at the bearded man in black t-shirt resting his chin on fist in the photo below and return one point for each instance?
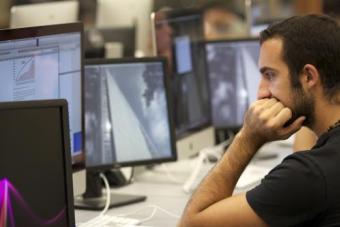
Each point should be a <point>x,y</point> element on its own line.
<point>300,85</point>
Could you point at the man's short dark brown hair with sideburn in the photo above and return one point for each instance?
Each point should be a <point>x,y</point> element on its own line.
<point>310,39</point>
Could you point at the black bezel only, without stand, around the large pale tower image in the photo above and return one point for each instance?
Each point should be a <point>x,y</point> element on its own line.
<point>166,81</point>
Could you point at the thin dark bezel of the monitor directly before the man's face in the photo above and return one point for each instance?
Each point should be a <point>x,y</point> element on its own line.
<point>235,127</point>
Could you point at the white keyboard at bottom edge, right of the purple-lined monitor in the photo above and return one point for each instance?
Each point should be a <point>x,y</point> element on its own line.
<point>110,221</point>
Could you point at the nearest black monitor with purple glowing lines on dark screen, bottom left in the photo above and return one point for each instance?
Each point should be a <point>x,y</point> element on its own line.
<point>35,165</point>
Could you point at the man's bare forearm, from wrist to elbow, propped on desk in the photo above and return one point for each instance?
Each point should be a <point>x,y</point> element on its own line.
<point>221,181</point>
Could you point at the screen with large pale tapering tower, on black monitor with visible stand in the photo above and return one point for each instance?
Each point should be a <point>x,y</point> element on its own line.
<point>127,115</point>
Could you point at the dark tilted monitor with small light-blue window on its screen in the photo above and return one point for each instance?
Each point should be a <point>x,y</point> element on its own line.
<point>178,37</point>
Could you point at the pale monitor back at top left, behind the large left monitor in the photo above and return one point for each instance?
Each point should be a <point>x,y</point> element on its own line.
<point>44,14</point>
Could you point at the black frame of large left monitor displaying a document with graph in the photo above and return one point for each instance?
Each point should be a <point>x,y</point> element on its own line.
<point>46,30</point>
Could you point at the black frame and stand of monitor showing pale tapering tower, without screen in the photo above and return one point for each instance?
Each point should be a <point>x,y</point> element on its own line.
<point>92,199</point>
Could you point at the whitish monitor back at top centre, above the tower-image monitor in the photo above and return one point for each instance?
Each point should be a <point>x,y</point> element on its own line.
<point>127,13</point>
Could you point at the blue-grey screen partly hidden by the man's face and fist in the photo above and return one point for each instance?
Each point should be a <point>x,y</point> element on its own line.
<point>233,78</point>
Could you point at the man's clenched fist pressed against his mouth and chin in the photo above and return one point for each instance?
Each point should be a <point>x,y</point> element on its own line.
<point>265,121</point>
